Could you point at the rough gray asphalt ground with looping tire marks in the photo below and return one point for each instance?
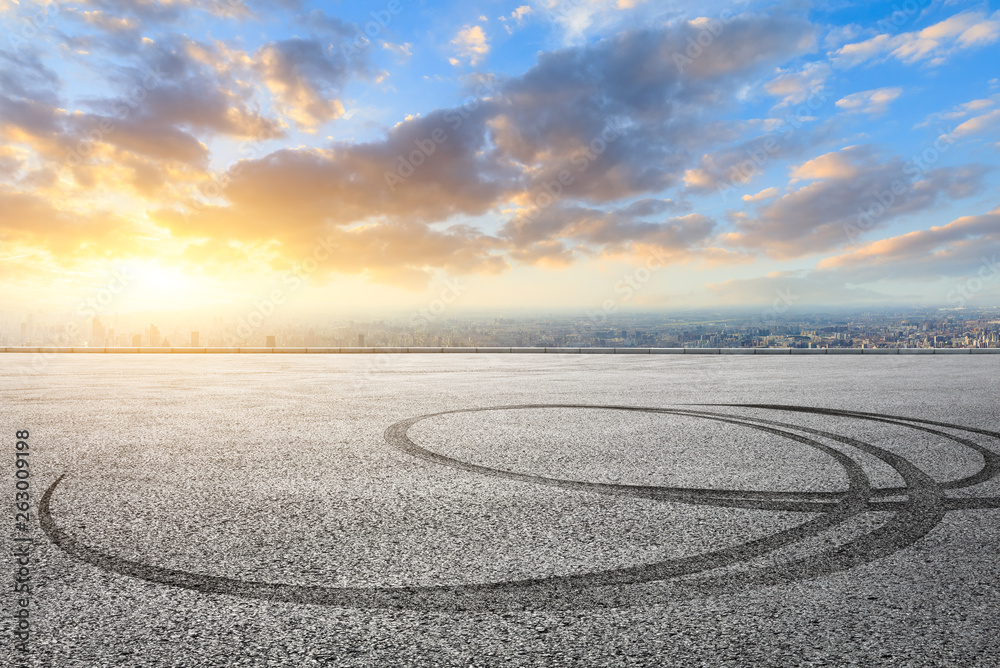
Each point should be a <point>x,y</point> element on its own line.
<point>292,511</point>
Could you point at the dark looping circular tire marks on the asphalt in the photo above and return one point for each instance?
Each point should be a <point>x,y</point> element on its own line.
<point>924,507</point>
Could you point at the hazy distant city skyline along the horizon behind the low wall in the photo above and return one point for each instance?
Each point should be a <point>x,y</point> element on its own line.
<point>926,328</point>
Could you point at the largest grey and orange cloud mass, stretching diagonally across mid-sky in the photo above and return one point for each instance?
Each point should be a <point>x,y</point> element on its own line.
<point>503,149</point>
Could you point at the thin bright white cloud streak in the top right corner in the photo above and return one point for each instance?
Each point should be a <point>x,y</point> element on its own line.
<point>931,45</point>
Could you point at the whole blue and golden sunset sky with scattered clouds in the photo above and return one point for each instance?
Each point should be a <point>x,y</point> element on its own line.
<point>327,157</point>
